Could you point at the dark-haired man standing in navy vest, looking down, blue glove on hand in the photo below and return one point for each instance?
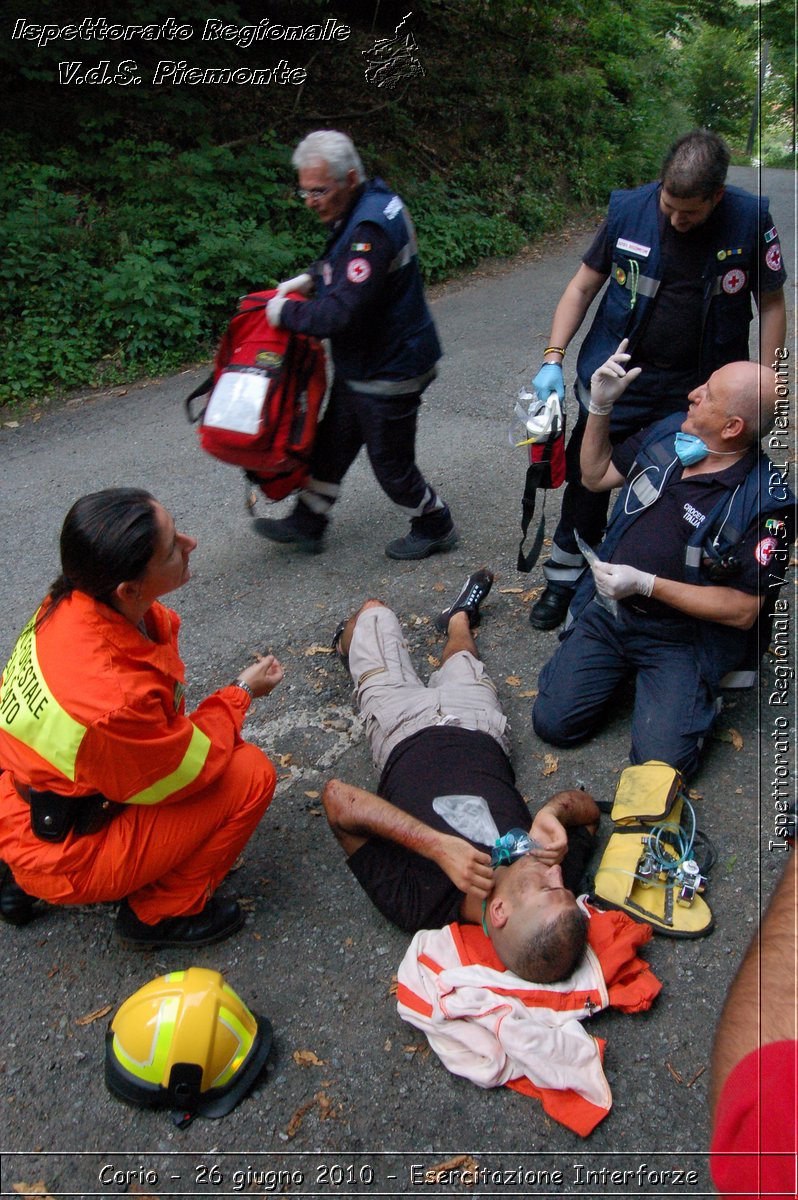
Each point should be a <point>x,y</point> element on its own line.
<point>683,259</point>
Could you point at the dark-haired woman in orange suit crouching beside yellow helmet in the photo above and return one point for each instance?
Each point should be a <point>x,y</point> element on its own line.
<point>109,790</point>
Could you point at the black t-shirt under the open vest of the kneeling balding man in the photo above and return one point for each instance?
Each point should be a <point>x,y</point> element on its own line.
<point>657,541</point>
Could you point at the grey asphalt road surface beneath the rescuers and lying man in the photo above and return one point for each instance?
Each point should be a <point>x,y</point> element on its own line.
<point>314,956</point>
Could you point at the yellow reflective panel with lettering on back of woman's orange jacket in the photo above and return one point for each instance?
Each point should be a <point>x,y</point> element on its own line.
<point>31,713</point>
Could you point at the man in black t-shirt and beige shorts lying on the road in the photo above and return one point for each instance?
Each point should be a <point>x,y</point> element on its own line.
<point>448,740</point>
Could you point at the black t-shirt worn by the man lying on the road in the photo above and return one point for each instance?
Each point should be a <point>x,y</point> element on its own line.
<point>445,760</point>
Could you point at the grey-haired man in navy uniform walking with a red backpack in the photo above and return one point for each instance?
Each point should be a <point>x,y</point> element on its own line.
<point>370,303</point>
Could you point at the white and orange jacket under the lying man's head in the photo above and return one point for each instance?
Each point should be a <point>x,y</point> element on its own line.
<point>496,1029</point>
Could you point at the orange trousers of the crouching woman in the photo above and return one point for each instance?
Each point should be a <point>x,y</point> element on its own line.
<point>167,860</point>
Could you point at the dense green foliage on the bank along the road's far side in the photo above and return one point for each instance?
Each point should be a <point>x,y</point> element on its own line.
<point>130,226</point>
